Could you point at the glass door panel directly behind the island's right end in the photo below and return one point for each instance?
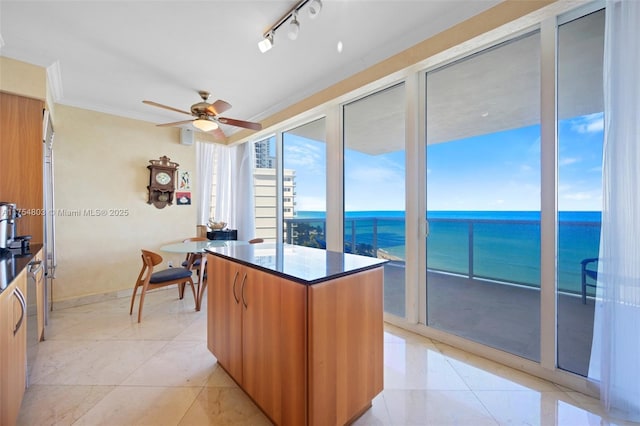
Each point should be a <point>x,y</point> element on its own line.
<point>374,186</point>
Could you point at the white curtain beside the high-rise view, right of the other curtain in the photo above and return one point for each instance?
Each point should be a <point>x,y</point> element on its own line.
<point>234,189</point>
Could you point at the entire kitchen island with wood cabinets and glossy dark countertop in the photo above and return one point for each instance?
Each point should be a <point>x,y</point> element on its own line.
<point>299,329</point>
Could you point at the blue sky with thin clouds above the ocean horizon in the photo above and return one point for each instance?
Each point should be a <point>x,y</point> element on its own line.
<point>498,171</point>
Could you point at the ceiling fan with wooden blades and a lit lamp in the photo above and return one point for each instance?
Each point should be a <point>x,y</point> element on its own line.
<point>207,117</point>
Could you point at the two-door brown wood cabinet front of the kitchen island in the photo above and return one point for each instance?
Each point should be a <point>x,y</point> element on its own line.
<point>257,331</point>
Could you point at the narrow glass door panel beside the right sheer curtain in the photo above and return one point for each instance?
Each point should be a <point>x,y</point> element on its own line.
<point>580,139</point>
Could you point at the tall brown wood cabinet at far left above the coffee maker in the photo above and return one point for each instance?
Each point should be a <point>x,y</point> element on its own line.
<point>21,161</point>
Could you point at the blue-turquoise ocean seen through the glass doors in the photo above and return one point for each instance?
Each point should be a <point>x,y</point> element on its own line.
<point>505,244</point>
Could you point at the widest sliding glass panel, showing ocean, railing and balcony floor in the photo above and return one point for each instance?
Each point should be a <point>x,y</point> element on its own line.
<point>483,197</point>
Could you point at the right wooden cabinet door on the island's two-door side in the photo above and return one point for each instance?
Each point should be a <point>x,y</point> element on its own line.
<point>274,345</point>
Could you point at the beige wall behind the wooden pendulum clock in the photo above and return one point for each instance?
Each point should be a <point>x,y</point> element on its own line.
<point>101,163</point>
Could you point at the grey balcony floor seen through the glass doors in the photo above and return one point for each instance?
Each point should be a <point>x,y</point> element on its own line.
<point>499,315</point>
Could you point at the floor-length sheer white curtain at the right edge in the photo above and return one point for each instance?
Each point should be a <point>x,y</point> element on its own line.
<point>615,358</point>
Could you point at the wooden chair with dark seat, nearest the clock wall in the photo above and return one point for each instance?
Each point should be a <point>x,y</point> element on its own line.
<point>148,279</point>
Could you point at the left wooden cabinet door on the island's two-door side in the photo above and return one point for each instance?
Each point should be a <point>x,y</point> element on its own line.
<point>224,314</point>
